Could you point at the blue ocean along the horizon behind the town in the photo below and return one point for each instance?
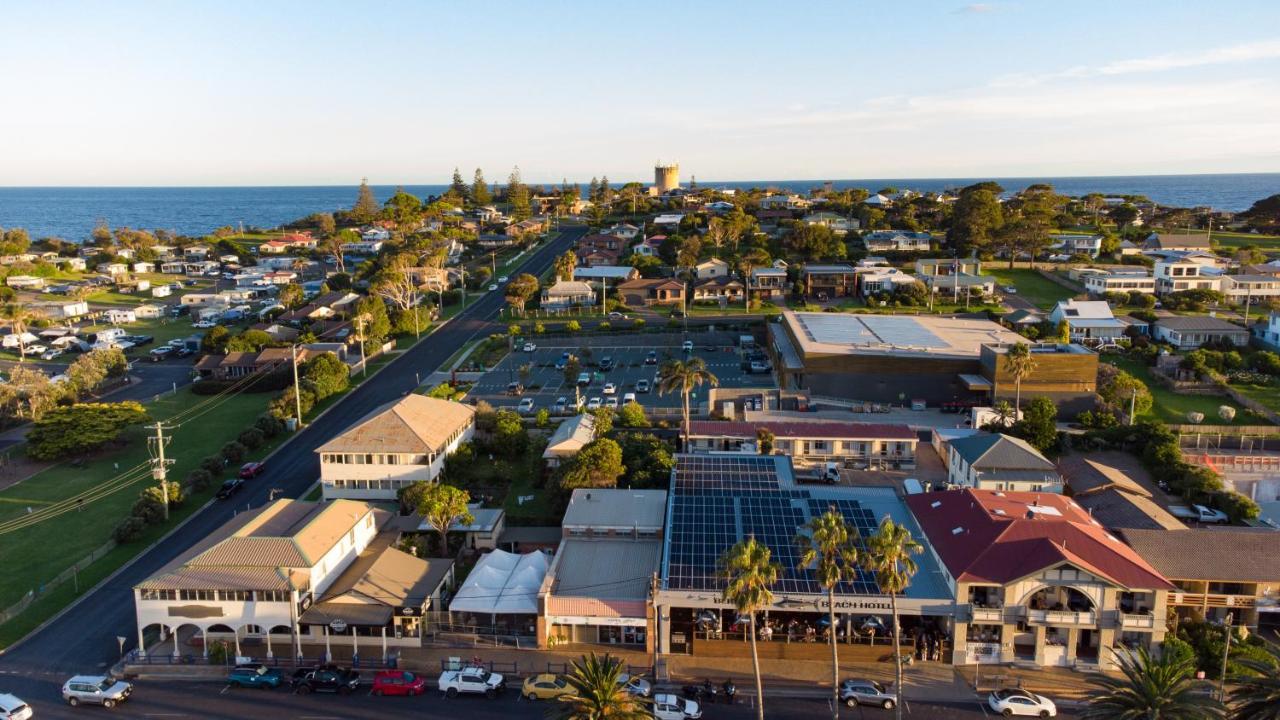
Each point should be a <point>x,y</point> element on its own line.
<point>71,213</point>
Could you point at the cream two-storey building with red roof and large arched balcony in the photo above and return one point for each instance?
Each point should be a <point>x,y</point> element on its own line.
<point>1037,581</point>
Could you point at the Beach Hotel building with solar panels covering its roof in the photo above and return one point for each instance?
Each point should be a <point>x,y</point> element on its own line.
<point>719,500</point>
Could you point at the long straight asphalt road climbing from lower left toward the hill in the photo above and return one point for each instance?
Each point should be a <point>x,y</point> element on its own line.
<point>85,639</point>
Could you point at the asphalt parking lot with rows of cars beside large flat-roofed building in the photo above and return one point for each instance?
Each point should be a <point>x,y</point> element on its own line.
<point>628,354</point>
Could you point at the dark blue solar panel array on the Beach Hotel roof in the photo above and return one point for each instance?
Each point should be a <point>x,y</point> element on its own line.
<point>720,500</point>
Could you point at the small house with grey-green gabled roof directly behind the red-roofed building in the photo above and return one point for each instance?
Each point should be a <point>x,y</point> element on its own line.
<point>1000,463</point>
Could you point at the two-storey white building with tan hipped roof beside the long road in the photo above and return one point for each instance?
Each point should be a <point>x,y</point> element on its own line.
<point>395,446</point>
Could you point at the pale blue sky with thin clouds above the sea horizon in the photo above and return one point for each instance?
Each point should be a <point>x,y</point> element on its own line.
<point>317,93</point>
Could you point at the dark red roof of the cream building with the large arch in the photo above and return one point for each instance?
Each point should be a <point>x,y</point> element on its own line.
<point>1000,537</point>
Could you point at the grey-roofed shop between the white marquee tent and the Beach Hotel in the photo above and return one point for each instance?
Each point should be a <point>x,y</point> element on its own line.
<point>598,589</point>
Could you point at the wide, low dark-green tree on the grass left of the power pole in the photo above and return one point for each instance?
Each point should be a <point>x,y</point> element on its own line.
<point>81,429</point>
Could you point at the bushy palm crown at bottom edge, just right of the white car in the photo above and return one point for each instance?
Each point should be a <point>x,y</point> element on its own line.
<point>1151,689</point>
